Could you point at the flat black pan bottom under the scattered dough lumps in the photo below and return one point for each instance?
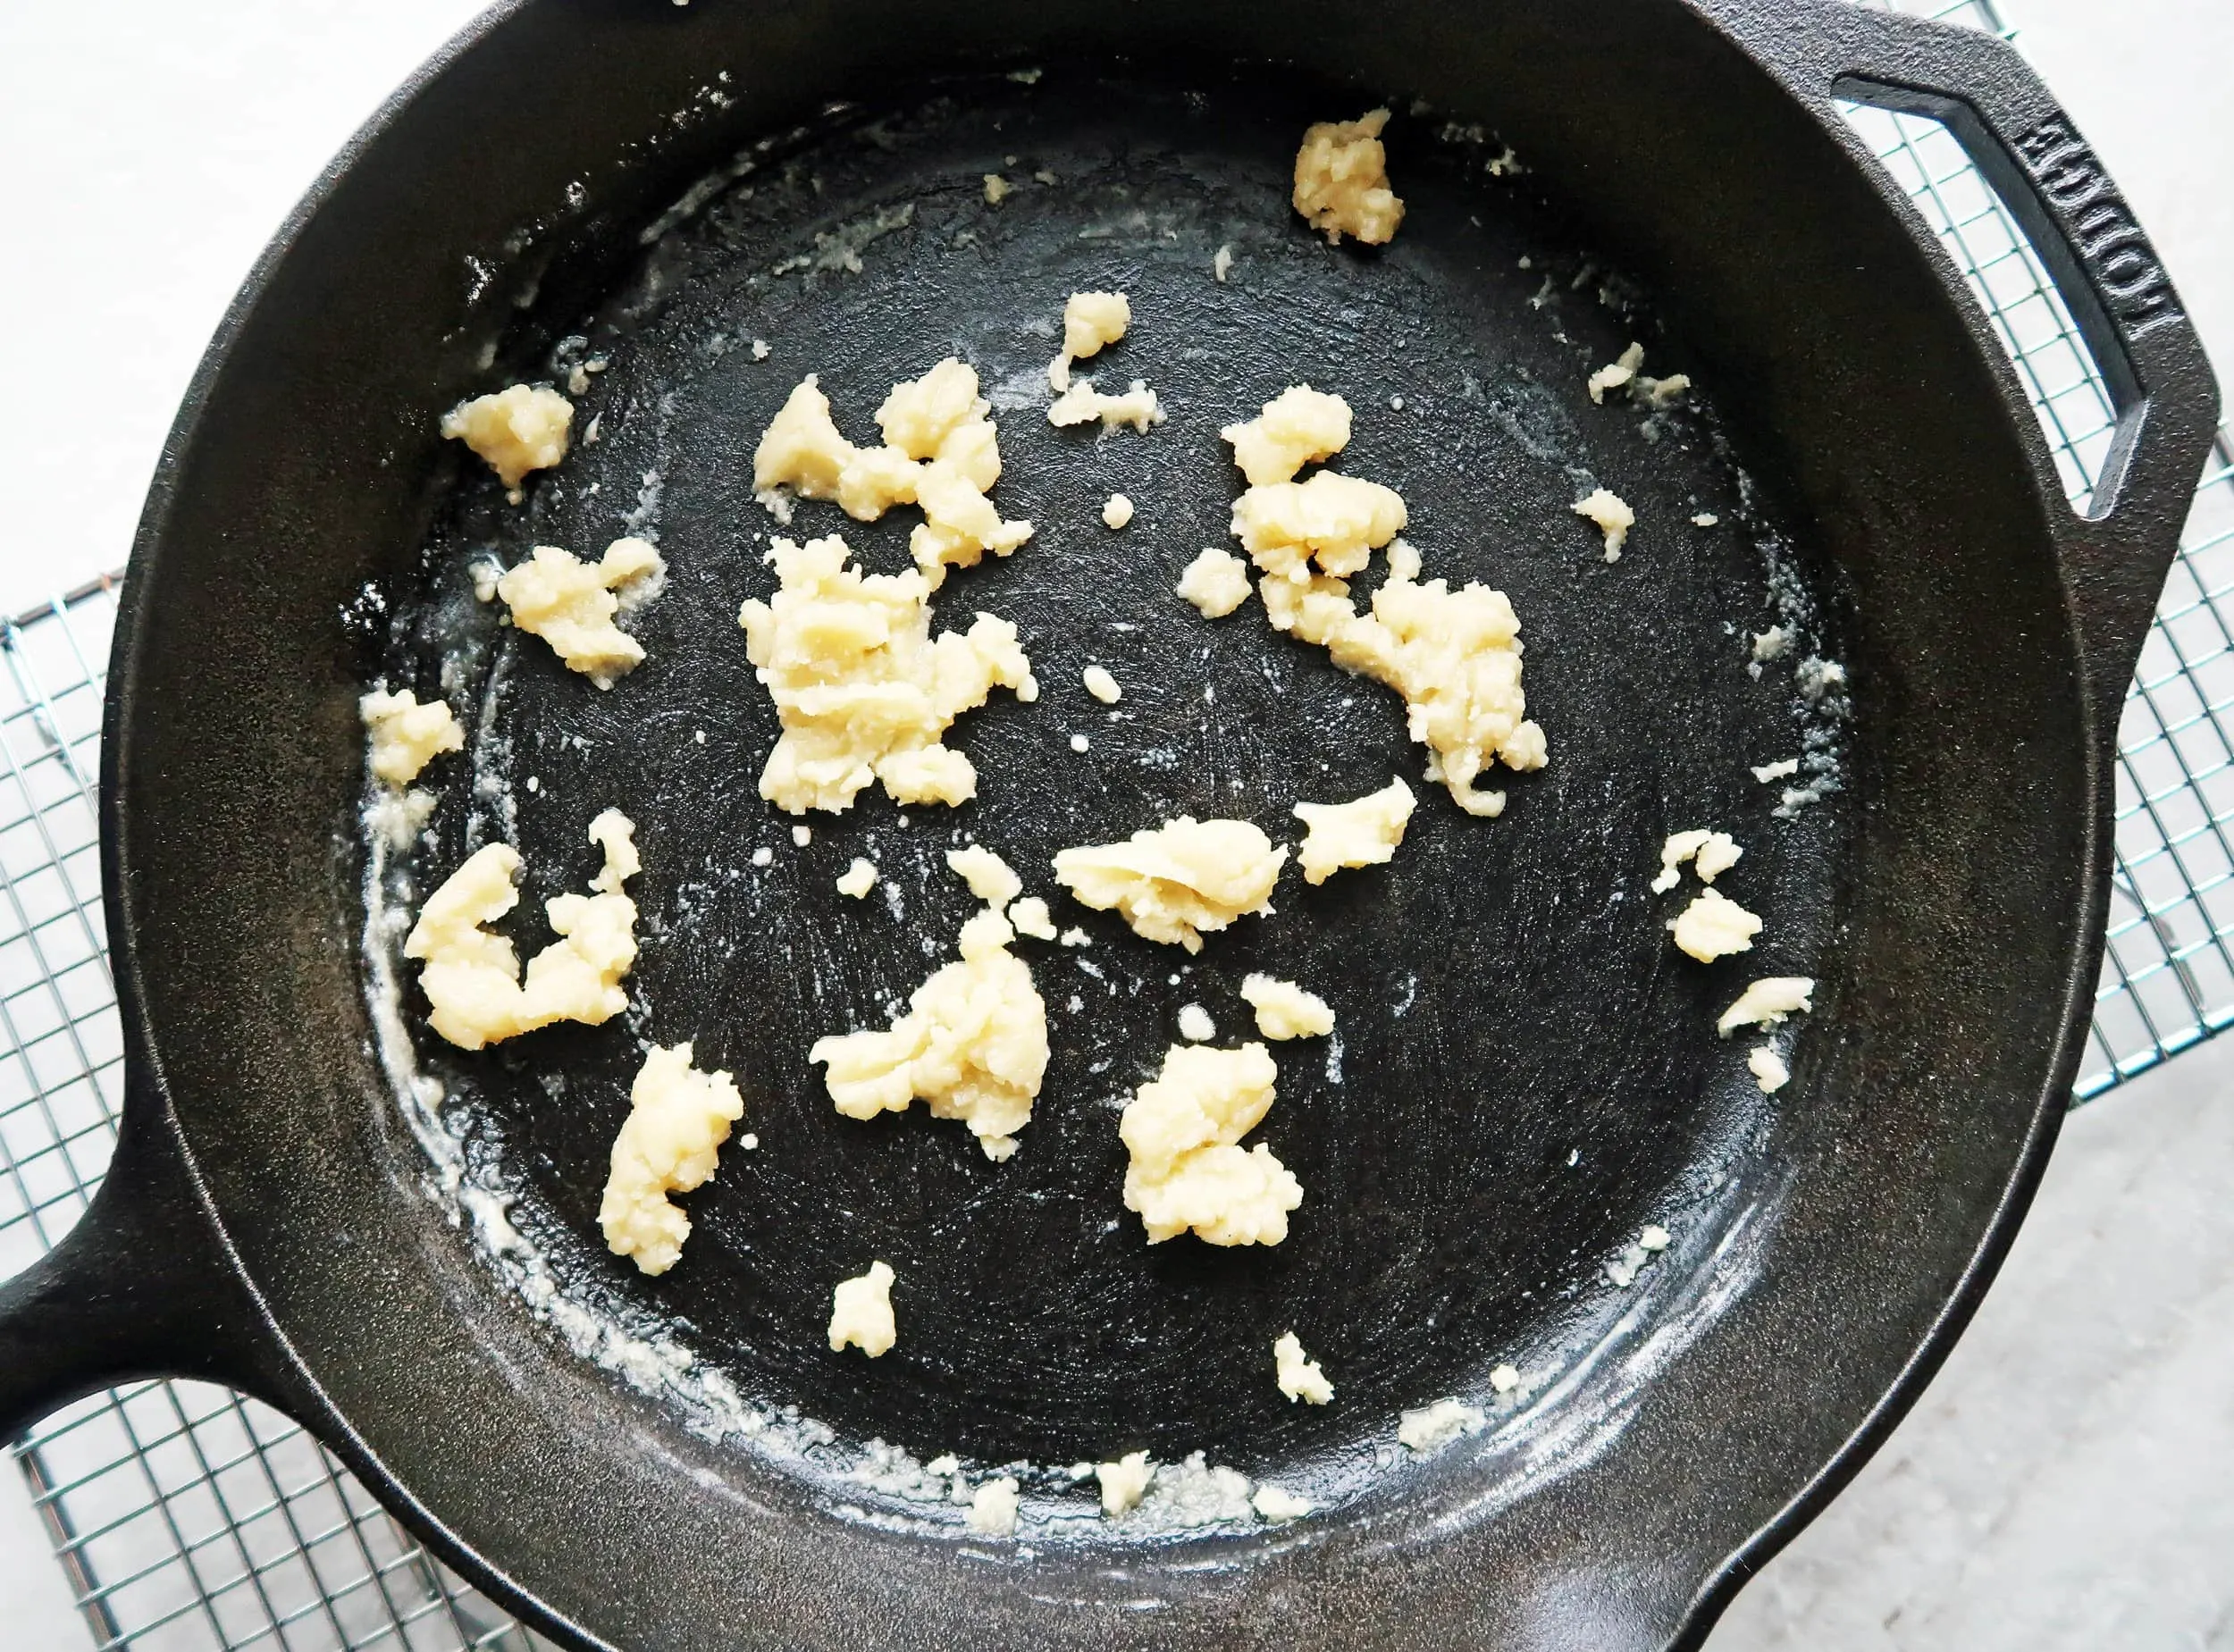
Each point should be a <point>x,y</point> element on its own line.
<point>1525,1070</point>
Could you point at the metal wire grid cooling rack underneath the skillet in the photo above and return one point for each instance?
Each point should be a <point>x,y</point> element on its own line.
<point>191,1519</point>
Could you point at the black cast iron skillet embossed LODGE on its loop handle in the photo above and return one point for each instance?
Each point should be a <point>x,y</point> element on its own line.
<point>1549,1086</point>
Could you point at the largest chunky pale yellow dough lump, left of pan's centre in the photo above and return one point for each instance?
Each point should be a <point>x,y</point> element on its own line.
<point>863,689</point>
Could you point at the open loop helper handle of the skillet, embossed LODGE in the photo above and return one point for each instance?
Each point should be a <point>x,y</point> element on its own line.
<point>2092,247</point>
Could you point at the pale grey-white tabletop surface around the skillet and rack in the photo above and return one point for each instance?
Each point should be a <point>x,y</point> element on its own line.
<point>2065,1481</point>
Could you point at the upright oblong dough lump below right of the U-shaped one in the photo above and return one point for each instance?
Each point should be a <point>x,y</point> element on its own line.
<point>678,1117</point>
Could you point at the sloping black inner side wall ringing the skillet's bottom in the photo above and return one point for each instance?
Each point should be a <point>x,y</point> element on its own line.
<point>1871,412</point>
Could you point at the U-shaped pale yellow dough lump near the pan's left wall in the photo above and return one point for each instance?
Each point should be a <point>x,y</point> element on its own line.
<point>472,977</point>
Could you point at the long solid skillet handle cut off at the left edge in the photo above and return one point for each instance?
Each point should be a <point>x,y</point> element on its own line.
<point>144,1287</point>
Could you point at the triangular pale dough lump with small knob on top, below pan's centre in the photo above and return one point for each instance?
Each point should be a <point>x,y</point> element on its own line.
<point>973,1046</point>
